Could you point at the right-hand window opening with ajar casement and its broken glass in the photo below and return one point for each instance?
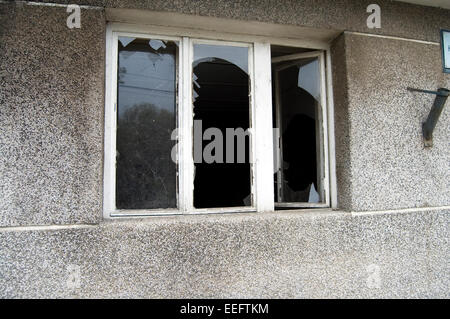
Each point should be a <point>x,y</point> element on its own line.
<point>297,115</point>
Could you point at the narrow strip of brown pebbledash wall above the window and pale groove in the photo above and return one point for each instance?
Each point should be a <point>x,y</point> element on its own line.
<point>398,19</point>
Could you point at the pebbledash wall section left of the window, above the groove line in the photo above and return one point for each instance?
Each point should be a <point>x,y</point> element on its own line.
<point>51,116</point>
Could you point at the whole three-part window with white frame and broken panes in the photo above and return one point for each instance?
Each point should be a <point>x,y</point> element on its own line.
<point>206,126</point>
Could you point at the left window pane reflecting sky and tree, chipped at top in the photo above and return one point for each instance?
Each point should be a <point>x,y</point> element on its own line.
<point>146,176</point>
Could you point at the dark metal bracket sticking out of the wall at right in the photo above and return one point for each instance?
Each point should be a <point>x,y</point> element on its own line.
<point>436,110</point>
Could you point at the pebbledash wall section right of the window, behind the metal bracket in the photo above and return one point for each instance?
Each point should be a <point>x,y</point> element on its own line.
<point>381,160</point>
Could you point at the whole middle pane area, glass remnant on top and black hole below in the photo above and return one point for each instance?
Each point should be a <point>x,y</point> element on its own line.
<point>221,100</point>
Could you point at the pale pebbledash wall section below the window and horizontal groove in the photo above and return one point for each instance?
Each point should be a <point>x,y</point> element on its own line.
<point>283,255</point>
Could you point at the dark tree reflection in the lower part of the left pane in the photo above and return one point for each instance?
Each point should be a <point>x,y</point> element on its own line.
<point>146,175</point>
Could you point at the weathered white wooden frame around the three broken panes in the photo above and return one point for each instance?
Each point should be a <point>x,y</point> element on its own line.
<point>261,139</point>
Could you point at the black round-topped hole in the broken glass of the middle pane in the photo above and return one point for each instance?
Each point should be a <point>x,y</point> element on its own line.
<point>222,102</point>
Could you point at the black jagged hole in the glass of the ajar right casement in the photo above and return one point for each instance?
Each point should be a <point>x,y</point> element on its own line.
<point>298,132</point>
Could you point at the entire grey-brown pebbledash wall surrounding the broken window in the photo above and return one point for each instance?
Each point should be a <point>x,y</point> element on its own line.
<point>389,236</point>
